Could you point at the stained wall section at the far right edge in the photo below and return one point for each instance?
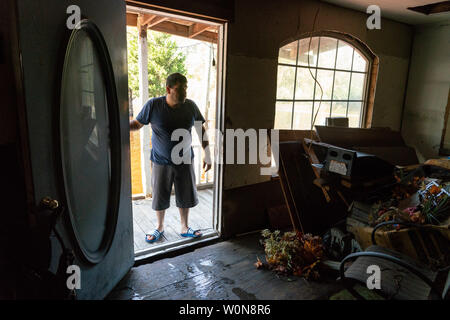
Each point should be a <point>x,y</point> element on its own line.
<point>428,87</point>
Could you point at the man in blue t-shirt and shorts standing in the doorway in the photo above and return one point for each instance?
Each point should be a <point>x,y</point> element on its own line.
<point>167,114</point>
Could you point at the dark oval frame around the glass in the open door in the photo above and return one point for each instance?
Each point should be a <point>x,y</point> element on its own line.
<point>87,255</point>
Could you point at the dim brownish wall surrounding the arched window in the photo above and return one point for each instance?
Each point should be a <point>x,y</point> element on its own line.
<point>254,38</point>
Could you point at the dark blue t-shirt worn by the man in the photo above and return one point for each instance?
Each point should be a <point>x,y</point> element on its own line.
<point>164,121</point>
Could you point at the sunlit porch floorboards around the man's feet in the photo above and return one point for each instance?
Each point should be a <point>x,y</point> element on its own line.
<point>144,220</point>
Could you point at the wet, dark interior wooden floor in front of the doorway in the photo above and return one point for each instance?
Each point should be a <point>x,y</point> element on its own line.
<point>220,271</point>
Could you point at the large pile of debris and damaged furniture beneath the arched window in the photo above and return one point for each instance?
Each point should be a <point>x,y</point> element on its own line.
<point>361,189</point>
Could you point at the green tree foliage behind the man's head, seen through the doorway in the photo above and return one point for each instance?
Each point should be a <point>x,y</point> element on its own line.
<point>163,59</point>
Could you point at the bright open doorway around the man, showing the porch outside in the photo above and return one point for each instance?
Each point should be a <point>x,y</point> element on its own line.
<point>158,45</point>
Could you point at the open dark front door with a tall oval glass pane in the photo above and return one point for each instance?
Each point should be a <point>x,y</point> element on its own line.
<point>75,87</point>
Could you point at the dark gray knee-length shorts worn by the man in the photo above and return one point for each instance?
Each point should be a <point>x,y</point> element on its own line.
<point>182,177</point>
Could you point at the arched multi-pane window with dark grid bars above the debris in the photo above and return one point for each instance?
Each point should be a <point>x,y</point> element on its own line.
<point>342,71</point>
